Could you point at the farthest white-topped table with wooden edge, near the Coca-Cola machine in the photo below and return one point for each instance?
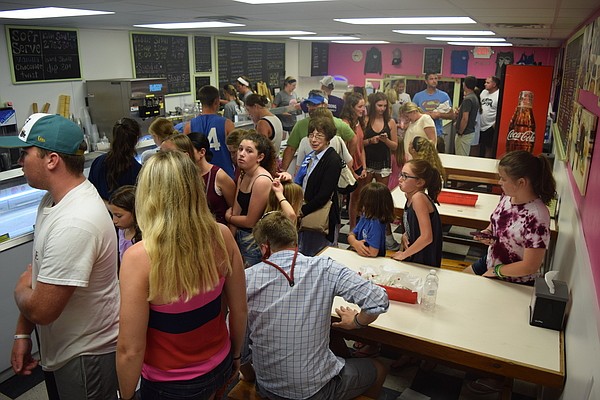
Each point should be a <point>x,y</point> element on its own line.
<point>470,169</point>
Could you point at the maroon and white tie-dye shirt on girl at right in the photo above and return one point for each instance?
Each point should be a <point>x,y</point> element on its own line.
<point>518,227</point>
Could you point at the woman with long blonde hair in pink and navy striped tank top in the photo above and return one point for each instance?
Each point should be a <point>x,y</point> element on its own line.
<point>176,285</point>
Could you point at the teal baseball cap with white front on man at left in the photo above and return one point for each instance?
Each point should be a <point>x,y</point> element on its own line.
<point>47,131</point>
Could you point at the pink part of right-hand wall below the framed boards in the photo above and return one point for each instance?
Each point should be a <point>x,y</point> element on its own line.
<point>589,206</point>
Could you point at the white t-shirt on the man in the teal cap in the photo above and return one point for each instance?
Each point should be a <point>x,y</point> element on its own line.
<point>75,245</point>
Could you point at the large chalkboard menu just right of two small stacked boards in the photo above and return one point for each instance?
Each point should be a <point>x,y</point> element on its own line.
<point>259,61</point>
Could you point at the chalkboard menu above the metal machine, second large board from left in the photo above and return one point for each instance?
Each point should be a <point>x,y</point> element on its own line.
<point>162,56</point>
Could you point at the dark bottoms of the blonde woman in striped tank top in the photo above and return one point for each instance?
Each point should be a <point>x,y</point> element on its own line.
<point>200,388</point>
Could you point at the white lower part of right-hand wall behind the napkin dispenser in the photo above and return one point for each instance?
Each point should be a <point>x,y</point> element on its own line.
<point>582,333</point>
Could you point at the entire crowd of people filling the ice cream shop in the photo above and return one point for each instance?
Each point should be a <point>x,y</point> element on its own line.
<point>214,264</point>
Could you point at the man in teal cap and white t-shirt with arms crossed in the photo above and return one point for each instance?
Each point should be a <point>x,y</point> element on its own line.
<point>70,290</point>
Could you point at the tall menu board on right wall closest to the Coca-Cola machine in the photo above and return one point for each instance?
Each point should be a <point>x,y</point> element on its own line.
<point>568,91</point>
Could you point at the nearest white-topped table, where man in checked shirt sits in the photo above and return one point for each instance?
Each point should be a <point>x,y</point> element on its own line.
<point>478,323</point>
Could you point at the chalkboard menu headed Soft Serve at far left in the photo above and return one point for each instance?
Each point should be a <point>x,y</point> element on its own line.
<point>43,54</point>
